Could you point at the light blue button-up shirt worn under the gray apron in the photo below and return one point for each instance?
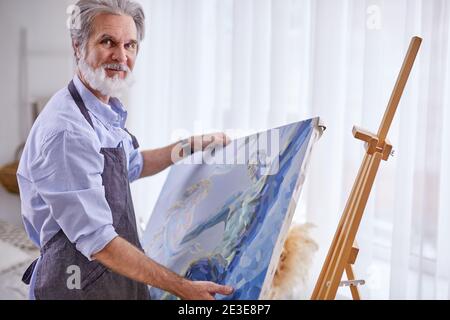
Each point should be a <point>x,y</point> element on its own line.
<point>60,170</point>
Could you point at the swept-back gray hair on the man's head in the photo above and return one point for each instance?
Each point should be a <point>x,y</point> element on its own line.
<point>85,12</point>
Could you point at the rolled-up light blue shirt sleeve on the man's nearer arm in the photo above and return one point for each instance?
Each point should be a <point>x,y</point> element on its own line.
<point>67,175</point>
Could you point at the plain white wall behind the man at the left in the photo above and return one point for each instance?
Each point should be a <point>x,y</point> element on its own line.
<point>49,68</point>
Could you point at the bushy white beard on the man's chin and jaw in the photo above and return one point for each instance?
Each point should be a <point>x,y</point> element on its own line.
<point>98,80</point>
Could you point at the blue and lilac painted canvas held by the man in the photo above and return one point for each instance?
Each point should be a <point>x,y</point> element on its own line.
<point>223,214</point>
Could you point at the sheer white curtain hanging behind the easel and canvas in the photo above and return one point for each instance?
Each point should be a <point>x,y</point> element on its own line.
<point>247,65</point>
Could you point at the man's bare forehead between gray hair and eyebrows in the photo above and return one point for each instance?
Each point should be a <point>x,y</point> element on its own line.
<point>120,27</point>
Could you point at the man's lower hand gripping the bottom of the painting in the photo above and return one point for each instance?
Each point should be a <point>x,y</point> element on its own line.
<point>202,290</point>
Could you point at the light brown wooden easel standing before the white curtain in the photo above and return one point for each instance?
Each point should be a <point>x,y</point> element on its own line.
<point>343,253</point>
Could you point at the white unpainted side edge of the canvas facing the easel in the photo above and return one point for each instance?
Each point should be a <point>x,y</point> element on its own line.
<point>318,129</point>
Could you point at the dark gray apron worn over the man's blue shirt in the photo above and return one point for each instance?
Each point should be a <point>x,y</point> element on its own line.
<point>58,254</point>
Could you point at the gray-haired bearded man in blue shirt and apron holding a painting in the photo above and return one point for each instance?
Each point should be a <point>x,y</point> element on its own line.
<point>76,167</point>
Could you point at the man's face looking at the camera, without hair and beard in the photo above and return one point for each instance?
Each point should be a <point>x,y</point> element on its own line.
<point>113,40</point>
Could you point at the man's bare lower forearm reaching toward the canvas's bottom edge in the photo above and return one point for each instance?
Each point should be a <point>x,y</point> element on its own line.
<point>122,257</point>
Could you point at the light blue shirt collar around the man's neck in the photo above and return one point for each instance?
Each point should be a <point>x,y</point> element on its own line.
<point>113,114</point>
